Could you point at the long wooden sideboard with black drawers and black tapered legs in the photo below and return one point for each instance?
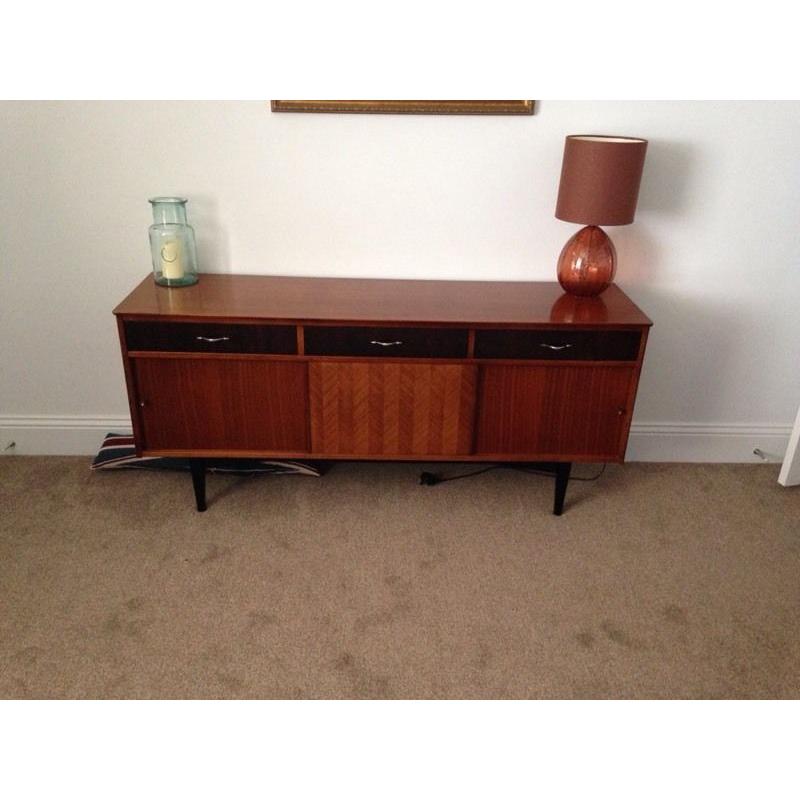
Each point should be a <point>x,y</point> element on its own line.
<point>332,368</point>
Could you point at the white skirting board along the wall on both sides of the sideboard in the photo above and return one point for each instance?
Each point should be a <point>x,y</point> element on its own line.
<point>82,435</point>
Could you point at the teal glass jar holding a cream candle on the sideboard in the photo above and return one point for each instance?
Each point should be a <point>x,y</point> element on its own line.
<point>172,243</point>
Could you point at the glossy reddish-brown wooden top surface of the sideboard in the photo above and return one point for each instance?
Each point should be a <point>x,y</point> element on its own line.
<point>257,297</point>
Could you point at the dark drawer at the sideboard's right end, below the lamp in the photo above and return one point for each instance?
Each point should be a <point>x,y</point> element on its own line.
<point>554,344</point>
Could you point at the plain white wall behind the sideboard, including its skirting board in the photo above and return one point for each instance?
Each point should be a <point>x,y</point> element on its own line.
<point>712,257</point>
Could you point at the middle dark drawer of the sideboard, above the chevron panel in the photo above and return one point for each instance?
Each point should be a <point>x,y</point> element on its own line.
<point>386,342</point>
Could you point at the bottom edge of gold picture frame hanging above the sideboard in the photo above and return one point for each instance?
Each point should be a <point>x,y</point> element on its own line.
<point>510,107</point>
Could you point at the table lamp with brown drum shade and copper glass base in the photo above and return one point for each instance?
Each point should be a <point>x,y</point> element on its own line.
<point>599,185</point>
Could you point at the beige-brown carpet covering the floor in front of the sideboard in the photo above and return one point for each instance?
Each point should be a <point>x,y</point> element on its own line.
<point>660,581</point>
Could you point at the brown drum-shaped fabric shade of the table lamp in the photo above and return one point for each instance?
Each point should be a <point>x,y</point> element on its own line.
<point>600,178</point>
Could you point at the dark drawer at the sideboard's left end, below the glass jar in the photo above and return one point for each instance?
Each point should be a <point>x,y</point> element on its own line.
<point>211,337</point>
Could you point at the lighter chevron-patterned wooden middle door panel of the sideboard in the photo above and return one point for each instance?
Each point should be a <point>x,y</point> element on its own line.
<point>390,408</point>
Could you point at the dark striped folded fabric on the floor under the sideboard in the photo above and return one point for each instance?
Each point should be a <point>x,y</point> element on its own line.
<point>119,452</point>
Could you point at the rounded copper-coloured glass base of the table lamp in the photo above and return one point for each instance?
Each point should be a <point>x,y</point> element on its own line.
<point>587,263</point>
